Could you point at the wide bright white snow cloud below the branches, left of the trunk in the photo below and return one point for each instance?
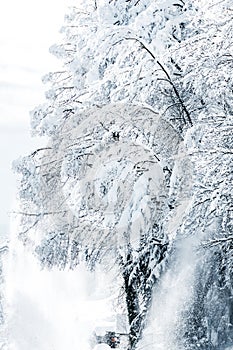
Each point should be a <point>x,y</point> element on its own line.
<point>51,309</point>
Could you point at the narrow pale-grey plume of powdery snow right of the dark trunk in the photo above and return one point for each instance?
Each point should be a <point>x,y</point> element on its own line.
<point>170,300</point>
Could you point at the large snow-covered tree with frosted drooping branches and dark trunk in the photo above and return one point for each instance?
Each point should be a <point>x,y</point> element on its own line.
<point>139,120</point>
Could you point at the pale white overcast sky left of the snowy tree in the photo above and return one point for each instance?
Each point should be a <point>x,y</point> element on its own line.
<point>27,30</point>
